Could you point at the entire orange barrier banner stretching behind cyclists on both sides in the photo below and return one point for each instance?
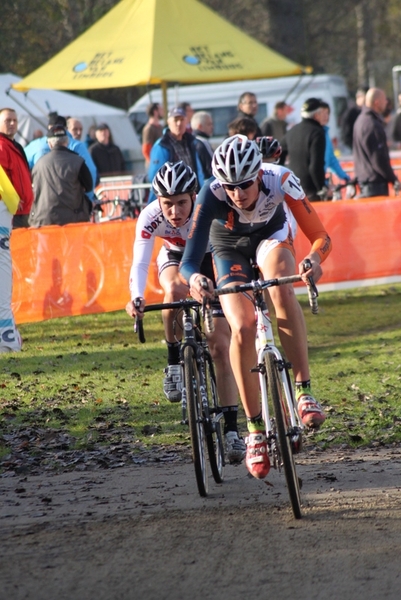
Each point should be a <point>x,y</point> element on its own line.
<point>84,268</point>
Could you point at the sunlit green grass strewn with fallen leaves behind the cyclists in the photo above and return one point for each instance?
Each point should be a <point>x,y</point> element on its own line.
<point>85,382</point>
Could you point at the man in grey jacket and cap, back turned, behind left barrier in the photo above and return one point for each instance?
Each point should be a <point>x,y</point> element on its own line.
<point>60,180</point>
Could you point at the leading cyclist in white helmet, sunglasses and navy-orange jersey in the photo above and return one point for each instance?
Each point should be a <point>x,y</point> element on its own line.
<point>242,212</point>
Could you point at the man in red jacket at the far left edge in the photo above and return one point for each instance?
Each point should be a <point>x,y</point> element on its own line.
<point>13,161</point>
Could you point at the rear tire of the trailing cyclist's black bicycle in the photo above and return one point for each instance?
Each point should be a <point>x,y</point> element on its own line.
<point>214,429</point>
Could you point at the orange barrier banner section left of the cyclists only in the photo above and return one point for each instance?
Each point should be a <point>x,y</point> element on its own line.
<point>74,269</point>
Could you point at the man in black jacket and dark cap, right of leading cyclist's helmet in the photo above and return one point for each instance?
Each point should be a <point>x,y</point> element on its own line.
<point>305,143</point>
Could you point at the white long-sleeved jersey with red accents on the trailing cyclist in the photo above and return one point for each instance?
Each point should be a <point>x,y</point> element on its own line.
<point>151,225</point>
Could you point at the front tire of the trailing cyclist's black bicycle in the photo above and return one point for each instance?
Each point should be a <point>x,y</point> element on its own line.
<point>195,419</point>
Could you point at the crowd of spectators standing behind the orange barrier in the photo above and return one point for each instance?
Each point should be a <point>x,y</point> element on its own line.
<point>56,174</point>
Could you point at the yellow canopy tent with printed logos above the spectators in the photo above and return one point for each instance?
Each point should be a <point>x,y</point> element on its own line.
<point>141,42</point>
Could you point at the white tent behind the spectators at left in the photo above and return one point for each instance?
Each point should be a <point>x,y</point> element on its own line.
<point>34,106</point>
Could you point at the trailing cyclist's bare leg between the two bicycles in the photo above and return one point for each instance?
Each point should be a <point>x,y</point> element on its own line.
<point>219,345</point>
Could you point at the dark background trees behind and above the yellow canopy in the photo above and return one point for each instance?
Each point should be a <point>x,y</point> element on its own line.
<point>358,39</point>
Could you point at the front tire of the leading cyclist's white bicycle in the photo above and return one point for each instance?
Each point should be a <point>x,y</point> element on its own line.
<point>278,401</point>
